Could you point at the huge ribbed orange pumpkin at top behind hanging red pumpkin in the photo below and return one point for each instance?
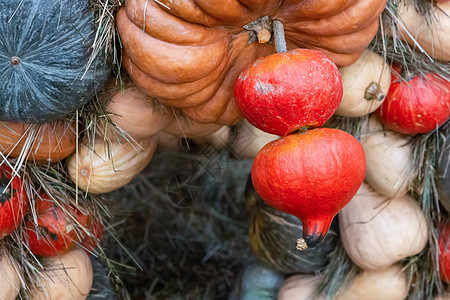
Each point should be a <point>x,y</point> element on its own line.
<point>188,54</point>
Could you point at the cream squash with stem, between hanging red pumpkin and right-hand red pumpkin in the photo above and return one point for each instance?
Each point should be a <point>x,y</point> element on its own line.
<point>365,84</point>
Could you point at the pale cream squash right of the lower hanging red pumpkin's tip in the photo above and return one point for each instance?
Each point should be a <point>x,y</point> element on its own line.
<point>378,231</point>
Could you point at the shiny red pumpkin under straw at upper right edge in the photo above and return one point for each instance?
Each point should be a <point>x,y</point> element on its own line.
<point>416,106</point>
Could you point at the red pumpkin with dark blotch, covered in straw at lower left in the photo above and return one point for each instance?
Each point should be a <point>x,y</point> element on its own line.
<point>56,232</point>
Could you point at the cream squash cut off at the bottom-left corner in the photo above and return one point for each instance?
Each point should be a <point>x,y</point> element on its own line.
<point>10,276</point>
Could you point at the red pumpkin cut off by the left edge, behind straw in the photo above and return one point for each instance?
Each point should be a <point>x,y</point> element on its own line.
<point>13,201</point>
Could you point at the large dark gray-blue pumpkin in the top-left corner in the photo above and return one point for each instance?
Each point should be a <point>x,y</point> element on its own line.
<point>44,49</point>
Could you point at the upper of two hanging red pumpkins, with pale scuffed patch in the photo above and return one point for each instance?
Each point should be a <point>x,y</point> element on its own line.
<point>287,91</point>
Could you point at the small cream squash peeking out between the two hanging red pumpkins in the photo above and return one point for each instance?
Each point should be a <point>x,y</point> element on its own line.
<point>249,140</point>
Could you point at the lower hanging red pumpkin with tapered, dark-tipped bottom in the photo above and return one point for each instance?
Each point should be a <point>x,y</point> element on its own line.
<point>311,175</point>
